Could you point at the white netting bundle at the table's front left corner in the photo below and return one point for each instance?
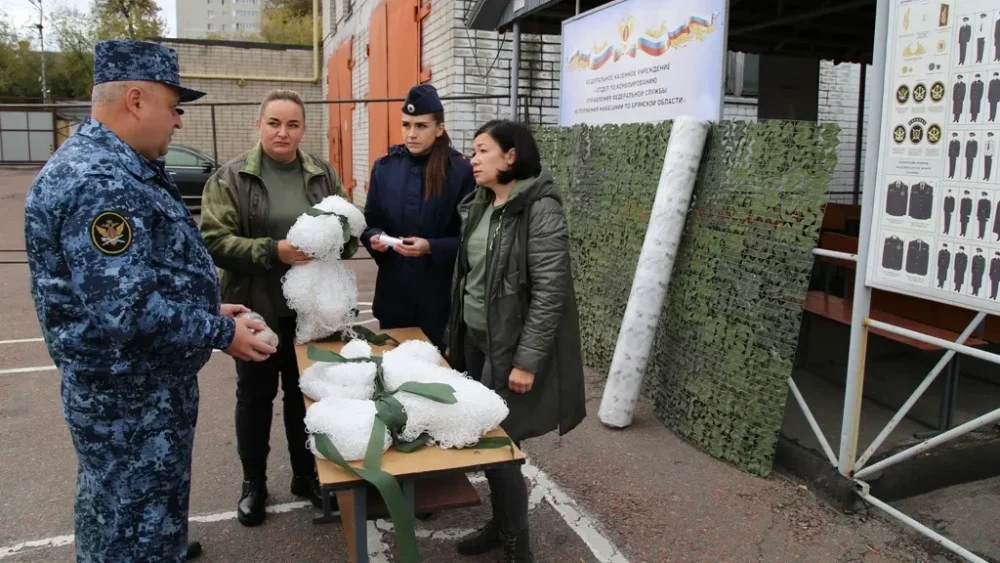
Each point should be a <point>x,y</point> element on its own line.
<point>347,423</point>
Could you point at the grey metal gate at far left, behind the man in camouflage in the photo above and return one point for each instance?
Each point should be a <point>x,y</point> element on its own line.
<point>27,135</point>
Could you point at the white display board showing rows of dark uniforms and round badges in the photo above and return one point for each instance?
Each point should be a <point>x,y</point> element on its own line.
<point>936,222</point>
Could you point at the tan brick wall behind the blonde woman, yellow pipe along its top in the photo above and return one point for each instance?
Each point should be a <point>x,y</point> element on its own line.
<point>234,124</point>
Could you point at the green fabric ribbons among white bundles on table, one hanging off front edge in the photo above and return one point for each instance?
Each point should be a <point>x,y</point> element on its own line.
<point>391,415</point>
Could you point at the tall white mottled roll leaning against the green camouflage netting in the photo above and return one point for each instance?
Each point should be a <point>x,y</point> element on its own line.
<point>652,276</point>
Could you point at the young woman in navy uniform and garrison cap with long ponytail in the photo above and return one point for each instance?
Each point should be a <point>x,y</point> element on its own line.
<point>413,195</point>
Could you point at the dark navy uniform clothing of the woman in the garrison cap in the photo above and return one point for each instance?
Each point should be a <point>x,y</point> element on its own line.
<point>415,291</point>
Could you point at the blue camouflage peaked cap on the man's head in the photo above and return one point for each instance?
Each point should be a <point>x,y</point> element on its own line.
<point>117,60</point>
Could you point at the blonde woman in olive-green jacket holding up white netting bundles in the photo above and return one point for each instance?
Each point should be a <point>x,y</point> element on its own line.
<point>248,206</point>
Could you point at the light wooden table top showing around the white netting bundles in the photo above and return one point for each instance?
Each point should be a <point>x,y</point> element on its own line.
<point>426,461</point>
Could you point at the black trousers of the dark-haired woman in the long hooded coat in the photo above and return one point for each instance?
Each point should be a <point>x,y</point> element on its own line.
<point>508,491</point>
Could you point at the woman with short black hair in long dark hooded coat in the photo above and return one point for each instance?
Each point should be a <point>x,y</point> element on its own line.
<point>514,324</point>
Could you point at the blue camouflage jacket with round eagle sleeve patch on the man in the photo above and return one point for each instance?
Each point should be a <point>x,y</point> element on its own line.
<point>121,281</point>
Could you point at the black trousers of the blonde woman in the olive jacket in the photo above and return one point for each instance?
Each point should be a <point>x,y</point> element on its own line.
<point>256,388</point>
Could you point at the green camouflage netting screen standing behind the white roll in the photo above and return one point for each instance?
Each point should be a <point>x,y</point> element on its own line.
<point>728,331</point>
